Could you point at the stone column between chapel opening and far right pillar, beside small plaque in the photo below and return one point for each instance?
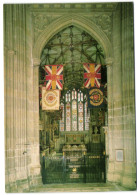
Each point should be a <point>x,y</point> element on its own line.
<point>115,126</point>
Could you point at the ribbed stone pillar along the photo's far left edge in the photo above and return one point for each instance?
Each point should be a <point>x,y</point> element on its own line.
<point>15,98</point>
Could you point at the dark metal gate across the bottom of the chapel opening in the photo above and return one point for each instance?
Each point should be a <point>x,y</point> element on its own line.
<point>87,169</point>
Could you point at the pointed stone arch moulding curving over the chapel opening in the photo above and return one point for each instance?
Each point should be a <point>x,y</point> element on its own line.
<point>78,21</point>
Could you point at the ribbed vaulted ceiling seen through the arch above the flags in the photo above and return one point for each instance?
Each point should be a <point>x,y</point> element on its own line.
<point>72,47</point>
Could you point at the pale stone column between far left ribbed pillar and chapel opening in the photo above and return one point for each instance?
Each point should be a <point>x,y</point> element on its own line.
<point>32,65</point>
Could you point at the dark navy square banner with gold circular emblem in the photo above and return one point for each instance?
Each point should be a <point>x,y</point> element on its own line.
<point>95,97</point>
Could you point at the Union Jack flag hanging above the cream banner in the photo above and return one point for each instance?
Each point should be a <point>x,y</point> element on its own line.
<point>54,77</point>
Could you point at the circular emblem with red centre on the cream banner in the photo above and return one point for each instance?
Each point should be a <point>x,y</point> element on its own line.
<point>50,98</point>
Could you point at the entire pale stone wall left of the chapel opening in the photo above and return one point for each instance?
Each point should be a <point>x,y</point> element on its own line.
<point>21,126</point>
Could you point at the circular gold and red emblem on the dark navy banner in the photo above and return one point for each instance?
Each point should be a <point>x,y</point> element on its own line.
<point>96,97</point>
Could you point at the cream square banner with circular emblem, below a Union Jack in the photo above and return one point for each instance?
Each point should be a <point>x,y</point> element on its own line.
<point>50,99</point>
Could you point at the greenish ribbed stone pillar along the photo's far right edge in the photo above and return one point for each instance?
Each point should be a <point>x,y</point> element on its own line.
<point>128,91</point>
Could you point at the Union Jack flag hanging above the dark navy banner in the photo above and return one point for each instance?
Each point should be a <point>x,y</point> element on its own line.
<point>92,75</point>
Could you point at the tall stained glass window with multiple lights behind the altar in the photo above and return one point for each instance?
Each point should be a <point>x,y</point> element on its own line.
<point>75,115</point>
